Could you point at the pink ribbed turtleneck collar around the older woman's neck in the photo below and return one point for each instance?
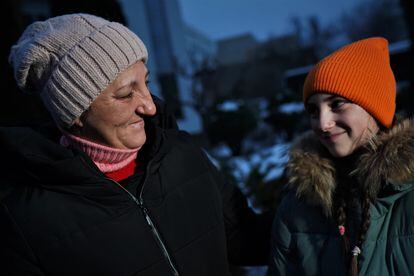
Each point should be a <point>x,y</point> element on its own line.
<point>107,159</point>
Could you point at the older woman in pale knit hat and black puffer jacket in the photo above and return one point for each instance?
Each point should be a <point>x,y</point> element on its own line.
<point>114,188</point>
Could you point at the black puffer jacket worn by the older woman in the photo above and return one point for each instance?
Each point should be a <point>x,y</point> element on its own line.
<point>59,215</point>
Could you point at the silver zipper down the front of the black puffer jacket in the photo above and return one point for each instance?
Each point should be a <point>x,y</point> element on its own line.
<point>141,205</point>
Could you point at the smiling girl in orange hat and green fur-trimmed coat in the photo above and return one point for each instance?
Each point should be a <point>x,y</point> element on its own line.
<point>350,209</point>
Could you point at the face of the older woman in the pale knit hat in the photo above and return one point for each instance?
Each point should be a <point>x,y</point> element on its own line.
<point>115,117</point>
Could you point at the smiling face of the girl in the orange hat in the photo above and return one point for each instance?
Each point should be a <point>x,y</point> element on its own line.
<point>339,124</point>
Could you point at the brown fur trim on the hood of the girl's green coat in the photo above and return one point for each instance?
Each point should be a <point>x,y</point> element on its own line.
<point>388,159</point>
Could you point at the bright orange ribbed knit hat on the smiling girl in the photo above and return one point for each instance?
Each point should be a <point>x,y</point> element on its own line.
<point>361,73</point>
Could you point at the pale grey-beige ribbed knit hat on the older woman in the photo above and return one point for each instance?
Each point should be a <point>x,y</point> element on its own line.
<point>70,59</point>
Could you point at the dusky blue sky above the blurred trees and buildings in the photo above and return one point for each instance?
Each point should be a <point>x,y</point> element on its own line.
<point>223,18</point>
